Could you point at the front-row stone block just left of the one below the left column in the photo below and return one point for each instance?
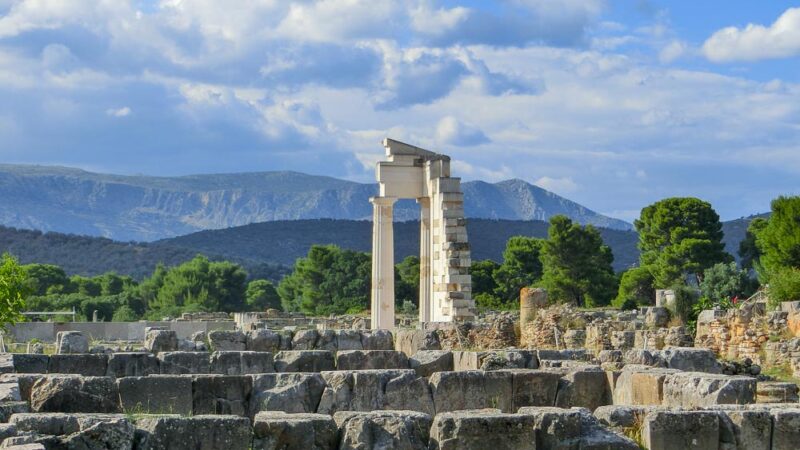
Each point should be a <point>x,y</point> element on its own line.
<point>278,430</point>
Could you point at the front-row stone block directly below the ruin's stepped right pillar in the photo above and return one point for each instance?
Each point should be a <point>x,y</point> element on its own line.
<point>482,429</point>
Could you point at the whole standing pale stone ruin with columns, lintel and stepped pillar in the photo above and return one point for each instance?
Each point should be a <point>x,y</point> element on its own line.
<point>444,280</point>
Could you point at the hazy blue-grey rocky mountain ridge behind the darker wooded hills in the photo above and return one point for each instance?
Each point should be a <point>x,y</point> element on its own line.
<point>148,208</point>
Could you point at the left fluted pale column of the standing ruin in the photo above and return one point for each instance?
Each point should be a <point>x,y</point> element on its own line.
<point>382,307</point>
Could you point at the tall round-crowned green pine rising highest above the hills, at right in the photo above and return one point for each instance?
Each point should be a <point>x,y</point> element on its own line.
<point>678,237</point>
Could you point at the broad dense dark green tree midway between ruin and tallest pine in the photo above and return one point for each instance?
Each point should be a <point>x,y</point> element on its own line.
<point>577,265</point>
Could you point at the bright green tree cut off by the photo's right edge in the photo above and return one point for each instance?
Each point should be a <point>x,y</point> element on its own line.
<point>779,240</point>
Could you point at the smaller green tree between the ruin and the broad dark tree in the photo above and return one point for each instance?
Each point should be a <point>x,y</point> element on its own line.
<point>521,267</point>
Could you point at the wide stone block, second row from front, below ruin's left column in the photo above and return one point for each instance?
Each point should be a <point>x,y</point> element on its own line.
<point>369,390</point>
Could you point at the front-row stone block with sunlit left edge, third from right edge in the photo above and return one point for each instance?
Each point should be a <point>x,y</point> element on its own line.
<point>681,430</point>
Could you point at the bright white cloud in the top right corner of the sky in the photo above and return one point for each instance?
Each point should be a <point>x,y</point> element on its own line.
<point>756,42</point>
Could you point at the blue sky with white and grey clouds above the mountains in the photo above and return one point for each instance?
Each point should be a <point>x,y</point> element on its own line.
<point>614,104</point>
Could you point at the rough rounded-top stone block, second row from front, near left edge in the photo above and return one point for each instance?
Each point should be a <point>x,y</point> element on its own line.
<point>74,393</point>
